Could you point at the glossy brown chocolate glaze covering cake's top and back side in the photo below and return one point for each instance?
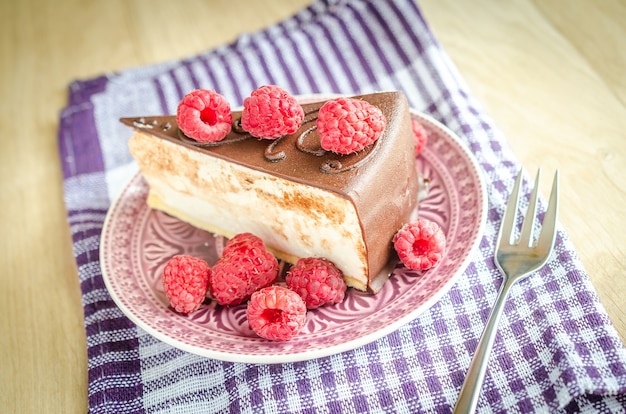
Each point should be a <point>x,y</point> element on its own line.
<point>380,180</point>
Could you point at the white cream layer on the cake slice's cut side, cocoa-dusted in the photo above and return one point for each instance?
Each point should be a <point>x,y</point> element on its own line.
<point>293,219</point>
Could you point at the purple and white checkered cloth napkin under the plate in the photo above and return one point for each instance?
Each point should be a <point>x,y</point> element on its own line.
<point>556,350</point>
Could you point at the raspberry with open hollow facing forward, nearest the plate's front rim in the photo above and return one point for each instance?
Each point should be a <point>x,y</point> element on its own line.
<point>276,313</point>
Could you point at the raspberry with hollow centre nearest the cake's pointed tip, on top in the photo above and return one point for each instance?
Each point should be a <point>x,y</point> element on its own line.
<point>204,115</point>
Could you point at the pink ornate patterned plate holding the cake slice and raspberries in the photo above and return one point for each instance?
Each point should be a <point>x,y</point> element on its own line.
<point>137,241</point>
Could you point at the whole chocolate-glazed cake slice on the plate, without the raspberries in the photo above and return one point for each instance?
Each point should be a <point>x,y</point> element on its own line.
<point>301,200</point>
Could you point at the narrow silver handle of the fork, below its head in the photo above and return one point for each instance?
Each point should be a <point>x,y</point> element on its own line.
<point>468,397</point>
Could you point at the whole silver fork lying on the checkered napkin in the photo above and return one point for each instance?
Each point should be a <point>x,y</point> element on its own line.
<point>516,258</point>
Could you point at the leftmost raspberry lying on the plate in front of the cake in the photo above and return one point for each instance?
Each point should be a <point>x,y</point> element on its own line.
<point>186,281</point>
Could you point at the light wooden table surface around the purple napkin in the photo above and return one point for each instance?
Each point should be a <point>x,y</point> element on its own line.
<point>551,73</point>
